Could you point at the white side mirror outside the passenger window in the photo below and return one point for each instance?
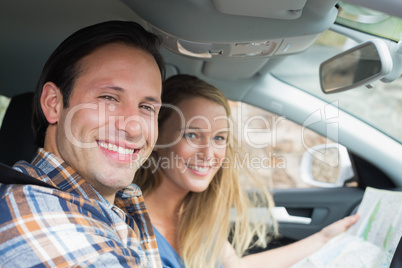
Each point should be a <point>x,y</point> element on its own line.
<point>326,165</point>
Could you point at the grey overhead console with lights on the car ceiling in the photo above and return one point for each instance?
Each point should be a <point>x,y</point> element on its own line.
<point>236,29</point>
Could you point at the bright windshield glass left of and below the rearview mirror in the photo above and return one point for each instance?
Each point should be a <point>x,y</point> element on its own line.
<point>380,105</point>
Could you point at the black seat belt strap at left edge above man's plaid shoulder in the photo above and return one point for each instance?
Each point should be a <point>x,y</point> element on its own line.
<point>12,176</point>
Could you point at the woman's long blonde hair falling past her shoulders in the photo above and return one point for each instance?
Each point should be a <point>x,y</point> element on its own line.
<point>205,221</point>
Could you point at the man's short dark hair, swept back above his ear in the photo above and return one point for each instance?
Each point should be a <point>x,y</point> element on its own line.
<point>62,67</point>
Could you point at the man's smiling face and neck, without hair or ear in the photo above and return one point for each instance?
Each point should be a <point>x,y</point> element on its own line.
<point>110,126</point>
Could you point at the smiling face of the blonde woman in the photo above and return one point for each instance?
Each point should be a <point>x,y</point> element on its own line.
<point>192,145</point>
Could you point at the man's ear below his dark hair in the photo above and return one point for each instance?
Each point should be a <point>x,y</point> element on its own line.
<point>51,101</point>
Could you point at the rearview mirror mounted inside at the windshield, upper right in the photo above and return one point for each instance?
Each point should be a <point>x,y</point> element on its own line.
<point>355,67</point>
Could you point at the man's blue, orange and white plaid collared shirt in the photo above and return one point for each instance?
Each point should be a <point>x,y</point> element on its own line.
<point>74,226</point>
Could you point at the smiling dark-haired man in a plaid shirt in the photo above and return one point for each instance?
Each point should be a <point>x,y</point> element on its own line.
<point>95,115</point>
